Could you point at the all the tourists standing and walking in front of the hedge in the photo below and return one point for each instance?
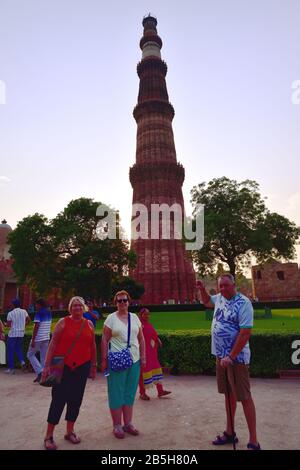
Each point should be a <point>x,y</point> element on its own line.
<point>129,358</point>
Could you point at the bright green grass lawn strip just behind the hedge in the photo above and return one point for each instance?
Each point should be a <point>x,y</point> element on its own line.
<point>283,320</point>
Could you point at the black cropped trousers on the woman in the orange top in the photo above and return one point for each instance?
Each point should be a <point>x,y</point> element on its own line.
<point>70,391</point>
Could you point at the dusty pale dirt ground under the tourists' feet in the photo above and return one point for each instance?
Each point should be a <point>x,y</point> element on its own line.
<point>187,419</point>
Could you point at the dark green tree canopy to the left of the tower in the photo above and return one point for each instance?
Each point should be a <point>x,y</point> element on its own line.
<point>67,253</point>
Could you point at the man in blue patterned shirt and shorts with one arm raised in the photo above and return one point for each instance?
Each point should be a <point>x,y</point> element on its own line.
<point>230,332</point>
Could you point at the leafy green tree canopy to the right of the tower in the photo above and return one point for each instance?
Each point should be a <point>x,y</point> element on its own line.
<point>238,226</point>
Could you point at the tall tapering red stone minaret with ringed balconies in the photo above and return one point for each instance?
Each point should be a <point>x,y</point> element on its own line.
<point>163,266</point>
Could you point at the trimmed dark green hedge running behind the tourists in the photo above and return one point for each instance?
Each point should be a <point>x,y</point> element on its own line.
<point>188,352</point>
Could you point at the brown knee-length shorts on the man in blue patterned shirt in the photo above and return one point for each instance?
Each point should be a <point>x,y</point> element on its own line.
<point>238,378</point>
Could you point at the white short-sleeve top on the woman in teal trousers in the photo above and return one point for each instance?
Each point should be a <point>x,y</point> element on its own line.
<point>119,331</point>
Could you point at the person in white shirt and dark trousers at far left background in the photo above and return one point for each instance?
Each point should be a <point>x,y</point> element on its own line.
<point>17,319</point>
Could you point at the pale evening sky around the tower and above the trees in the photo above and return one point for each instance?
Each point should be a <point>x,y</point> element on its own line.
<point>69,72</point>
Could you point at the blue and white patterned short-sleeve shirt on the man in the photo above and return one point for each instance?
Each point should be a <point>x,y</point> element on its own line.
<point>230,316</point>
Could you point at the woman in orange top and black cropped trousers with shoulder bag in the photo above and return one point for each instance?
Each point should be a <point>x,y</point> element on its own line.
<point>79,364</point>
